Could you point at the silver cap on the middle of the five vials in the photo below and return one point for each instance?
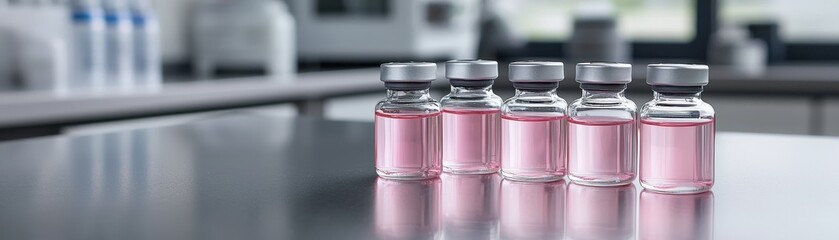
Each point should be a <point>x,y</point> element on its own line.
<point>533,71</point>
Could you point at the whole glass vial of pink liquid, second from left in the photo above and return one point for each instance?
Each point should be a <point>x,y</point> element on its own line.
<point>471,118</point>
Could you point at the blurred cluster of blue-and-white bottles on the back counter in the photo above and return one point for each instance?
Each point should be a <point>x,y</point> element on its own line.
<point>116,46</point>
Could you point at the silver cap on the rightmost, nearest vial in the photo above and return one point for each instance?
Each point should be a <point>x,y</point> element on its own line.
<point>688,75</point>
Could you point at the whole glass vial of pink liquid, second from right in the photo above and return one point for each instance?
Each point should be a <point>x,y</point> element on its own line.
<point>601,127</point>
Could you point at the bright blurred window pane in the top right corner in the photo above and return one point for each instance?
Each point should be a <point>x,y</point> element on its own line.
<point>799,20</point>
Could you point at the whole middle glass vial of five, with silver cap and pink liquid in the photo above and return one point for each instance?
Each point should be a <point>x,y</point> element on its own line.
<point>532,124</point>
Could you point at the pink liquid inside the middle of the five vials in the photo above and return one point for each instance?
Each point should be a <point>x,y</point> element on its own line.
<point>532,148</point>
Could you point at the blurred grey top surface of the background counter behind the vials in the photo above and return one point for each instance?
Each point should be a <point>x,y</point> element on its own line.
<point>308,90</point>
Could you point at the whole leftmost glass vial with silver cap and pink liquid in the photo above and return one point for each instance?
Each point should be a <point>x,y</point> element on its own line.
<point>408,123</point>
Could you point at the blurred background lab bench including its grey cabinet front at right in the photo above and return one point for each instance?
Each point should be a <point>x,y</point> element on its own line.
<point>796,99</point>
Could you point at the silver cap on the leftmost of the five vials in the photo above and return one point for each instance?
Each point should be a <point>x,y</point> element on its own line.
<point>408,72</point>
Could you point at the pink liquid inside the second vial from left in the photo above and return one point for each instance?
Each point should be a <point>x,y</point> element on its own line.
<point>471,142</point>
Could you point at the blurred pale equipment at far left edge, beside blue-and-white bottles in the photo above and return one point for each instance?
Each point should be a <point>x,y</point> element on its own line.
<point>34,54</point>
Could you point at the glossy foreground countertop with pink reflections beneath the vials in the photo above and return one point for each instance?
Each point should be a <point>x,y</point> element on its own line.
<point>242,176</point>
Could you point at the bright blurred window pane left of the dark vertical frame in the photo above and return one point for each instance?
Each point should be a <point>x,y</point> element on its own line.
<point>645,20</point>
